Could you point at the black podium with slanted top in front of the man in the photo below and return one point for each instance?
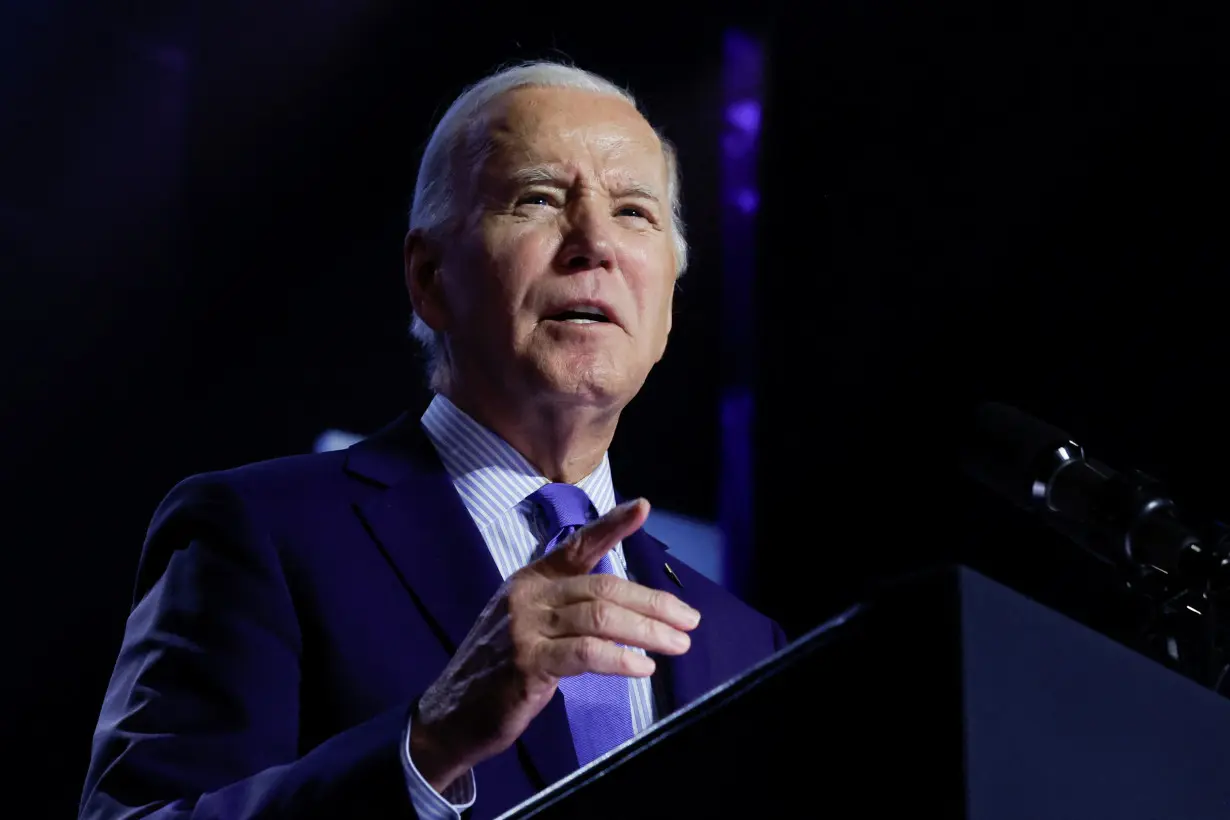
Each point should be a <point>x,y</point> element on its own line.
<point>950,696</point>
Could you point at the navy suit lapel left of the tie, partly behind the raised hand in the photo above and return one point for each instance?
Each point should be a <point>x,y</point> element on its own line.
<point>431,542</point>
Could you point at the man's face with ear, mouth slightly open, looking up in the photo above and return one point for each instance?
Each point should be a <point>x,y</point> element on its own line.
<point>560,283</point>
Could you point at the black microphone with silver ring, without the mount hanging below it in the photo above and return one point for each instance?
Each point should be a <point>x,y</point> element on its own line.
<point>1126,519</point>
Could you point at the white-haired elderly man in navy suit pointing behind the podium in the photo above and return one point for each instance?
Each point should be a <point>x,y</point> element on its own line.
<point>456,613</point>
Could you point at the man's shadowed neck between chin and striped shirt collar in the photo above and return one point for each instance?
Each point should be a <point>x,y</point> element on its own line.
<point>564,442</point>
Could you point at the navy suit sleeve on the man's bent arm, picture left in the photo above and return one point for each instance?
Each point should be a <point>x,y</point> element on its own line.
<point>201,719</point>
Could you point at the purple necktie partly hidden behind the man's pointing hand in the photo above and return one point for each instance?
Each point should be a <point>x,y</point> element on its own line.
<point>598,706</point>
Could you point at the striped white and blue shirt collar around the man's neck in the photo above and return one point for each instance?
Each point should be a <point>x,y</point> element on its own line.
<point>490,475</point>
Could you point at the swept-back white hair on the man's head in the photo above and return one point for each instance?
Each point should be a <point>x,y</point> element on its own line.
<point>453,151</point>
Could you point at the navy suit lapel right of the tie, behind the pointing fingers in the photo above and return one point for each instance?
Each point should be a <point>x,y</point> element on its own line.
<point>680,679</point>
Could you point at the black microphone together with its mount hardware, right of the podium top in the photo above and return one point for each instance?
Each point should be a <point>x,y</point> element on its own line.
<point>1178,570</point>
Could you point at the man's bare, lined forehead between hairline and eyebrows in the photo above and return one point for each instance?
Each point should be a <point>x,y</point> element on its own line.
<point>575,130</point>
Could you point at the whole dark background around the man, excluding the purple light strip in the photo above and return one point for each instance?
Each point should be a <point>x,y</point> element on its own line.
<point>201,218</point>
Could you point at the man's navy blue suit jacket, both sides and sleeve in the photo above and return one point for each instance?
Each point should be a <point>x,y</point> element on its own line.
<point>288,615</point>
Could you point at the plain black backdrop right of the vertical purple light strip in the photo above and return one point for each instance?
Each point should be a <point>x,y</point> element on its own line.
<point>974,202</point>
